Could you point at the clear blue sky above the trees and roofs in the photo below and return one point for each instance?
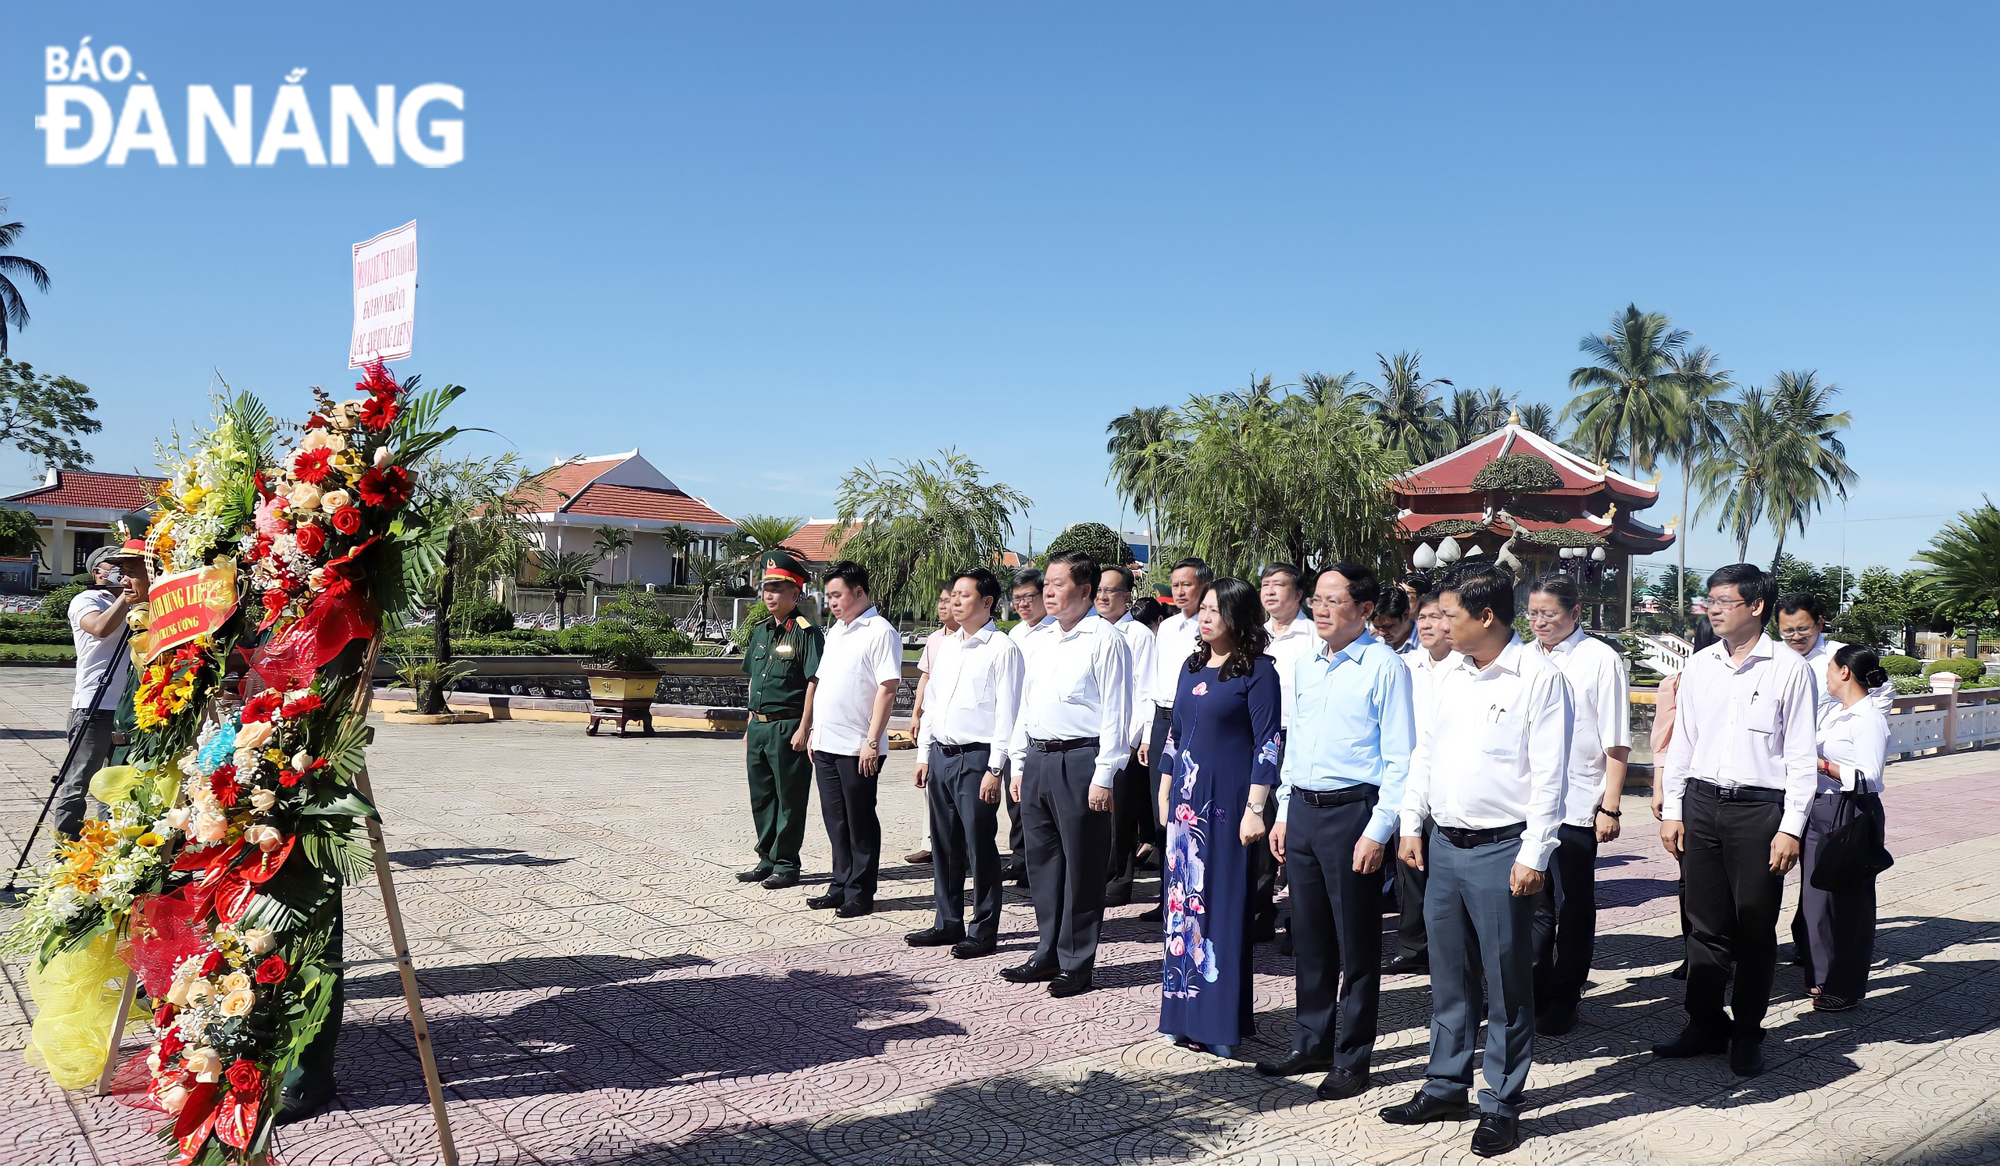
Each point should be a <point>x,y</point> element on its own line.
<point>769,243</point>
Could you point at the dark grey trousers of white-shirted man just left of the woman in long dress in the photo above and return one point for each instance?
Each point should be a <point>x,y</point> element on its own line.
<point>1069,849</point>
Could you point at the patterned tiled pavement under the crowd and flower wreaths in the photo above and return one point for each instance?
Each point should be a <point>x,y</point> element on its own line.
<point>603,991</point>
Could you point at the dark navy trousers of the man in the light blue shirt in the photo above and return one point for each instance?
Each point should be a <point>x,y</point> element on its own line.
<point>1337,931</point>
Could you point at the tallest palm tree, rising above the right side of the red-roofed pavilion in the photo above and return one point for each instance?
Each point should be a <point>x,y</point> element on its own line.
<point>1627,389</point>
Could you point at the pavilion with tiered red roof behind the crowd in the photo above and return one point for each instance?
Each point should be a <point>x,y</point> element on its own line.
<point>1529,503</point>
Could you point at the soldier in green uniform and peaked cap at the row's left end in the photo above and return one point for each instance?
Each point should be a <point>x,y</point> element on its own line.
<point>783,657</point>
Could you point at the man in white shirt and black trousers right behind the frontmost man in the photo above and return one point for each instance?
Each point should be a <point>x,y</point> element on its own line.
<point>1601,741</point>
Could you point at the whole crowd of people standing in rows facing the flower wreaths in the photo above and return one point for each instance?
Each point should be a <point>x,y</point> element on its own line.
<point>1369,743</point>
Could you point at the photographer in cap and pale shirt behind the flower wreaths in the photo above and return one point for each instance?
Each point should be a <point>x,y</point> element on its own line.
<point>97,625</point>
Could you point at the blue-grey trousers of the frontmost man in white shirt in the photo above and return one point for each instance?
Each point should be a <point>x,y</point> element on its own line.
<point>1479,929</point>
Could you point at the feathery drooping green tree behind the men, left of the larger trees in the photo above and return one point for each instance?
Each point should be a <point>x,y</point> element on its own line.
<point>923,523</point>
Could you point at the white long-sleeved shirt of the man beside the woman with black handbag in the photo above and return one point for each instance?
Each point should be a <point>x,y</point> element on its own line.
<point>1745,725</point>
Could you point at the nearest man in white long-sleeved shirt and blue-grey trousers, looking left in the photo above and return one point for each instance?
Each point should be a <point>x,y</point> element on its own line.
<point>1489,775</point>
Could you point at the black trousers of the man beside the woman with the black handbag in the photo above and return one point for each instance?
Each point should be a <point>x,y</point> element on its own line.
<point>1733,909</point>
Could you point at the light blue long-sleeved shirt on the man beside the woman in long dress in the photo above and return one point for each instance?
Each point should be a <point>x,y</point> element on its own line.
<point>1355,725</point>
